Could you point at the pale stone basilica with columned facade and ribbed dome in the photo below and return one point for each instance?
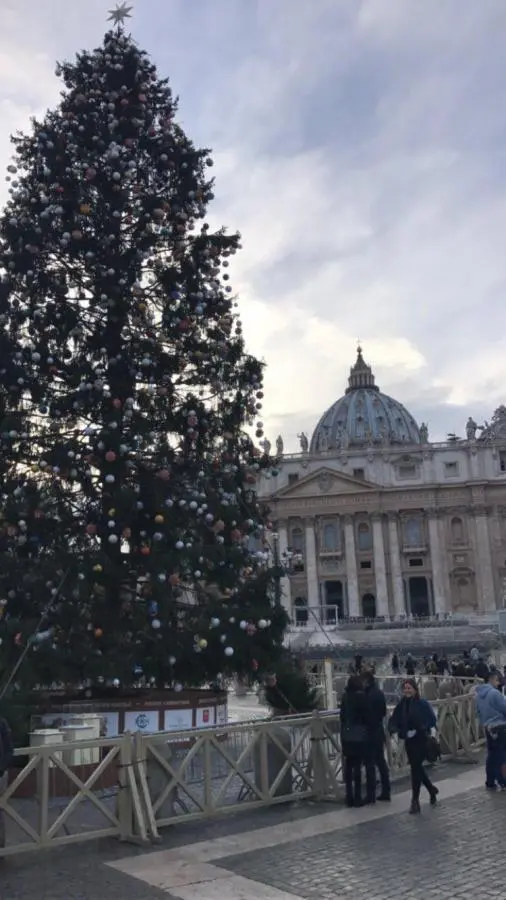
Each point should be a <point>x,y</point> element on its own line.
<point>373,520</point>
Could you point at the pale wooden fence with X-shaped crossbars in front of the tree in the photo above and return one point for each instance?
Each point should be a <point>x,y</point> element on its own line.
<point>140,783</point>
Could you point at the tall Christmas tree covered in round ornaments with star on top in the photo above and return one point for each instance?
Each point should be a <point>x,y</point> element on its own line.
<point>132,545</point>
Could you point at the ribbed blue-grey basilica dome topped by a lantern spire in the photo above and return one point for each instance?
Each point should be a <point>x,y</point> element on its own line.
<point>364,416</point>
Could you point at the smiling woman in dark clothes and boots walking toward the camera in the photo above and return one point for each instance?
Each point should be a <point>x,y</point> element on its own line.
<point>414,720</point>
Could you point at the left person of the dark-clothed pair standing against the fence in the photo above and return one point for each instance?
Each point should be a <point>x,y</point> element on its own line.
<point>354,718</point>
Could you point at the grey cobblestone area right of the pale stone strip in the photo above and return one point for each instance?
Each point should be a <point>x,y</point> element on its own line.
<point>399,857</point>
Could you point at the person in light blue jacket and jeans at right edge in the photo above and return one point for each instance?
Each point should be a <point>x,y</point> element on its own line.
<point>491,709</point>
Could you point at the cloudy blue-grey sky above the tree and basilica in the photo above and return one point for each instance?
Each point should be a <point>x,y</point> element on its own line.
<point>360,150</point>
